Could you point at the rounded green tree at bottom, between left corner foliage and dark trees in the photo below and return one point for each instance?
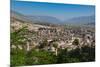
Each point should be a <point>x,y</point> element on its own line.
<point>40,57</point>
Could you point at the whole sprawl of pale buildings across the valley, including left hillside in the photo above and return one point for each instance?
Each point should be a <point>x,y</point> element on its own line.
<point>61,35</point>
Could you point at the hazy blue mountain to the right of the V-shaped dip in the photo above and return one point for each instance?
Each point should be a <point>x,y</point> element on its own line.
<point>82,20</point>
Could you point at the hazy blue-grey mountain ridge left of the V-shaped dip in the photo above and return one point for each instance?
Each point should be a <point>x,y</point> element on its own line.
<point>35,19</point>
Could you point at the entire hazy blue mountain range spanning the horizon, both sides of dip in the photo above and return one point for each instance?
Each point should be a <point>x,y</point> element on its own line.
<point>54,20</point>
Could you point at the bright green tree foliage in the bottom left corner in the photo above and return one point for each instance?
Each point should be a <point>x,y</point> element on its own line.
<point>18,57</point>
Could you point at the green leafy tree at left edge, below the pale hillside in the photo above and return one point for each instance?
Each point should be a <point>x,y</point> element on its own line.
<point>18,38</point>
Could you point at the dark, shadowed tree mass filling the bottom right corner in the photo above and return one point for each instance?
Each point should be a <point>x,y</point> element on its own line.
<point>87,55</point>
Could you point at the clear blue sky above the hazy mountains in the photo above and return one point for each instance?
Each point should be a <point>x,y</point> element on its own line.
<point>60,11</point>
